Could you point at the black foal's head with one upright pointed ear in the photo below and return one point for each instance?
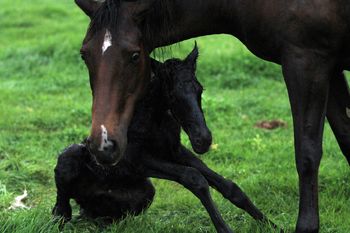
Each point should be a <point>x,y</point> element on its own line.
<point>184,94</point>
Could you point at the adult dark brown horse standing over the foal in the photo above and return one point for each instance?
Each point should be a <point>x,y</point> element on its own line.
<point>307,38</point>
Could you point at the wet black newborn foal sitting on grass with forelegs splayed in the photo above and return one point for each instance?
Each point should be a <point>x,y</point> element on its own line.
<point>154,150</point>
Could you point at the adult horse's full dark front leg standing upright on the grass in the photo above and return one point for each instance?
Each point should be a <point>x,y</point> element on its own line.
<point>307,76</point>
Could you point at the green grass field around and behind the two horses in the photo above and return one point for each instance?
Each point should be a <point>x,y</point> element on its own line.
<point>45,104</point>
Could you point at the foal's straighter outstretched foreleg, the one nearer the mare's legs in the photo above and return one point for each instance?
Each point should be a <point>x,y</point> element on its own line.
<point>227,188</point>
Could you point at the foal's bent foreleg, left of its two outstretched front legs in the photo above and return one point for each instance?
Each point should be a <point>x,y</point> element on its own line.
<point>191,179</point>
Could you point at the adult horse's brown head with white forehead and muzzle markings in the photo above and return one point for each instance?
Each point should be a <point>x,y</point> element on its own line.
<point>118,64</point>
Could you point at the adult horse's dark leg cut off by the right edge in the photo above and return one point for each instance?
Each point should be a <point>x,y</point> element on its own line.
<point>338,112</point>
